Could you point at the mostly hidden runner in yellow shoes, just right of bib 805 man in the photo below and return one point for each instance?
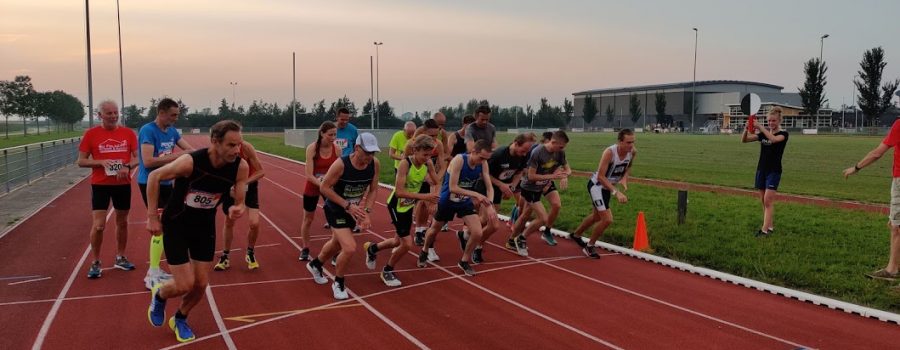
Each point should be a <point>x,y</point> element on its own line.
<point>248,153</point>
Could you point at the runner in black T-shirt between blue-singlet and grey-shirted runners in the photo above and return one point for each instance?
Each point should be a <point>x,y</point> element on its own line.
<point>505,168</point>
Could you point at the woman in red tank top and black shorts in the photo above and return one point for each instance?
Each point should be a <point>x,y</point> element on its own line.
<point>319,156</point>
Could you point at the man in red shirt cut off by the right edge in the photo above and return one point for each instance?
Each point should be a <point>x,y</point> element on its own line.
<point>892,140</point>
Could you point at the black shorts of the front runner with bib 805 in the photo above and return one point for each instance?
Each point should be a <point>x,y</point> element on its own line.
<point>189,239</point>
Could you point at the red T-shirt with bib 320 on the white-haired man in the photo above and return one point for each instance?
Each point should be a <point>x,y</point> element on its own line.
<point>102,144</point>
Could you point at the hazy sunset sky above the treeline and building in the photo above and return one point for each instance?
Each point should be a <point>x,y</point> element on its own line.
<point>434,53</point>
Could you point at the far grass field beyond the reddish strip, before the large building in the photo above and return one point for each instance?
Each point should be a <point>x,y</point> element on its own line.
<point>812,164</point>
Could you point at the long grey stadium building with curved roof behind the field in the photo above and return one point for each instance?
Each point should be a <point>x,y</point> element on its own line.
<point>717,108</point>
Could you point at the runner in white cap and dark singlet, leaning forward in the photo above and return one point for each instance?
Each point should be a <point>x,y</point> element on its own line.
<point>345,185</point>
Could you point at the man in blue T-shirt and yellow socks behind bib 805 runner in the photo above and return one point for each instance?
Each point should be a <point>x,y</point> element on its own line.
<point>158,140</point>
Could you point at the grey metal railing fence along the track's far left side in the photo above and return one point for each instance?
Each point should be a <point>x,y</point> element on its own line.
<point>23,164</point>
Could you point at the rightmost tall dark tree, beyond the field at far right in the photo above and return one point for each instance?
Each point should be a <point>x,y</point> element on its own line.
<point>871,102</point>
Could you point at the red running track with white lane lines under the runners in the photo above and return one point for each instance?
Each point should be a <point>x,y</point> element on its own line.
<point>554,299</point>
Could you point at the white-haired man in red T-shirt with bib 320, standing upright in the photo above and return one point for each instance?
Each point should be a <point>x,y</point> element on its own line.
<point>110,150</point>
